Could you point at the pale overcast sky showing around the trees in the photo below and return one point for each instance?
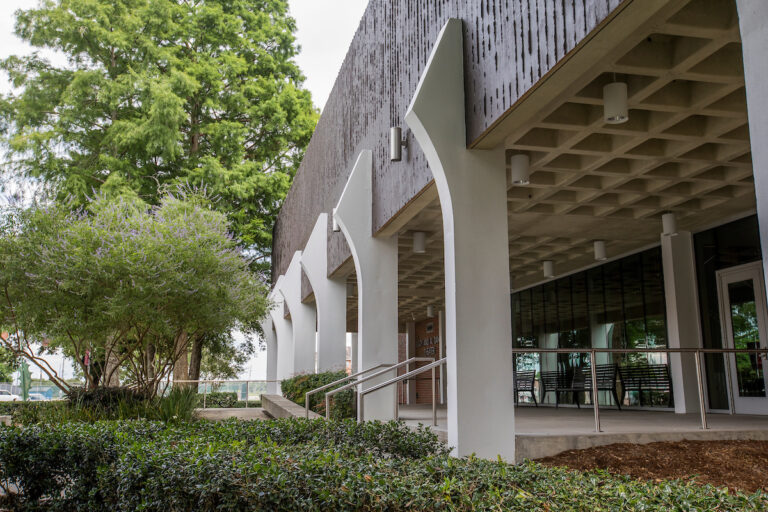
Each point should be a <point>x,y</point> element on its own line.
<point>324,31</point>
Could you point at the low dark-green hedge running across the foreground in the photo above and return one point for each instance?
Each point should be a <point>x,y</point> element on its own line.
<point>304,465</point>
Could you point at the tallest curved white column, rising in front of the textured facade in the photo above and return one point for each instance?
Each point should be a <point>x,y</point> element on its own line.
<point>473,195</point>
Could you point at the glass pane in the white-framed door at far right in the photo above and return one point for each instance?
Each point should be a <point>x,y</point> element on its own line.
<point>749,367</point>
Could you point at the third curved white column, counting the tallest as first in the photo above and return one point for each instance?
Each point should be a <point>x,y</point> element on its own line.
<point>330,300</point>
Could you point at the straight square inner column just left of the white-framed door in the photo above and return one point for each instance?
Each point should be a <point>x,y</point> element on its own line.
<point>683,323</point>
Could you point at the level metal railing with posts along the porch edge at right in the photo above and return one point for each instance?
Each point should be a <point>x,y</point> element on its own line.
<point>695,351</point>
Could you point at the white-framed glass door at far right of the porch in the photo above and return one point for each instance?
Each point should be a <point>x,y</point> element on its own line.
<point>744,318</point>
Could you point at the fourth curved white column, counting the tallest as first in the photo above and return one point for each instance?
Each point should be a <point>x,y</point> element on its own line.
<point>303,318</point>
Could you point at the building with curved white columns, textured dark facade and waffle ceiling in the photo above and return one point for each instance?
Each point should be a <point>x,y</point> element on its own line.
<point>575,174</point>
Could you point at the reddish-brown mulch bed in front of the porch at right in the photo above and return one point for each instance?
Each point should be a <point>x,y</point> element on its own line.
<point>738,465</point>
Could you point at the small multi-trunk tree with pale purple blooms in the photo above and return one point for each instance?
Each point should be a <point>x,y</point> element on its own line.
<point>125,288</point>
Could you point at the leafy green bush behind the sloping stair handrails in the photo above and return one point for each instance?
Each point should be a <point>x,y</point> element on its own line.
<point>342,404</point>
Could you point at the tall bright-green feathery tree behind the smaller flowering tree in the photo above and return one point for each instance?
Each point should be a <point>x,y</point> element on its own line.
<point>157,93</point>
